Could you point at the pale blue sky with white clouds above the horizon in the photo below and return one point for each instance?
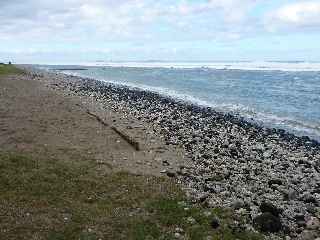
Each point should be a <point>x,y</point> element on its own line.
<point>130,30</point>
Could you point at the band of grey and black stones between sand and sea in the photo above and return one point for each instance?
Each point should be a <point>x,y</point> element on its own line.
<point>268,176</point>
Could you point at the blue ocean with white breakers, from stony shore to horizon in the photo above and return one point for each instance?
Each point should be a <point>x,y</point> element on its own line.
<point>284,95</point>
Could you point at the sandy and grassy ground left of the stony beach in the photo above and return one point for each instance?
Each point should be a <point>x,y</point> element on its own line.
<point>66,174</point>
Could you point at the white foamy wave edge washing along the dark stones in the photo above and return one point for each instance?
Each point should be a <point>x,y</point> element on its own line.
<point>300,127</point>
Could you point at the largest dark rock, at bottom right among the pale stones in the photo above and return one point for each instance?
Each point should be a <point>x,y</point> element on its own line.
<point>267,222</point>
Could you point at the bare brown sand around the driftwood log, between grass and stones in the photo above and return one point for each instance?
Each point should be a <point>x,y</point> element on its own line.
<point>41,121</point>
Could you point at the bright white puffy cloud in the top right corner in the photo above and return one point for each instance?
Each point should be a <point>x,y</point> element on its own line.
<point>304,14</point>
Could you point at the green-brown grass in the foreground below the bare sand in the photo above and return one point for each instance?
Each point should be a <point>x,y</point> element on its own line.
<point>55,200</point>
